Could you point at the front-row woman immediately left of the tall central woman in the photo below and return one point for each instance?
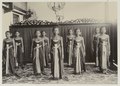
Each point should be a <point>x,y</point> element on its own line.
<point>37,54</point>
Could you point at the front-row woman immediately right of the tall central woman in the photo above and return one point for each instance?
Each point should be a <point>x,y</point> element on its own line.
<point>79,53</point>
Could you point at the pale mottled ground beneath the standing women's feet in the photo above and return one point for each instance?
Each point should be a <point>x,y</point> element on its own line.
<point>91,76</point>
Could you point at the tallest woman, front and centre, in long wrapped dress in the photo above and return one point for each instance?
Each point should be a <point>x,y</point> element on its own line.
<point>57,54</point>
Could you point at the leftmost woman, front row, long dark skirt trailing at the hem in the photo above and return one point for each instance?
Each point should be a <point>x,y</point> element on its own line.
<point>9,55</point>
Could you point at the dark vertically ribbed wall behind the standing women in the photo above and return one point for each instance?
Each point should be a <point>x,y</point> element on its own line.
<point>27,32</point>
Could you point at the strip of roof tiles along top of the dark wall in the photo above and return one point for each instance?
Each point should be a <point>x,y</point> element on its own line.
<point>41,22</point>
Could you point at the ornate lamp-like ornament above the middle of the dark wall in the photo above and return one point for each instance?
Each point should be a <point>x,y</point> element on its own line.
<point>56,7</point>
